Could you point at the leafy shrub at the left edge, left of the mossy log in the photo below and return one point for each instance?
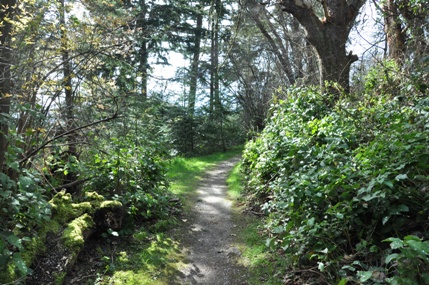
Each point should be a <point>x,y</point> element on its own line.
<point>23,209</point>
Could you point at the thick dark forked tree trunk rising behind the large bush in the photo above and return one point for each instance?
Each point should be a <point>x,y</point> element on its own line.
<point>328,35</point>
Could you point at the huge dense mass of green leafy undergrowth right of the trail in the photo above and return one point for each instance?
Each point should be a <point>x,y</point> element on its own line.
<point>346,184</point>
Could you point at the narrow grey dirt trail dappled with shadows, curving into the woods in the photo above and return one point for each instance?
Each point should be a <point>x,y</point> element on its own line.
<point>212,257</point>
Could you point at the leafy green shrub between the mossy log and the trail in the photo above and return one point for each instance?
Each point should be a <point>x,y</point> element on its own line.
<point>134,175</point>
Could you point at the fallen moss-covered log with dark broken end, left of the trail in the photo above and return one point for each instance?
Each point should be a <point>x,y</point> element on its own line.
<point>65,235</point>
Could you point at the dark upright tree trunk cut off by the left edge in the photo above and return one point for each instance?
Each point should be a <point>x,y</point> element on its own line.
<point>7,10</point>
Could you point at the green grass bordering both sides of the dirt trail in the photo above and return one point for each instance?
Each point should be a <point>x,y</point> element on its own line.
<point>157,255</point>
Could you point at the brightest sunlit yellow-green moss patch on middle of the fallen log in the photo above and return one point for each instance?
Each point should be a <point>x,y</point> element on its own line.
<point>73,235</point>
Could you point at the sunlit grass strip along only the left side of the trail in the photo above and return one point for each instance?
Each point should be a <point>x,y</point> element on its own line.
<point>149,254</point>
